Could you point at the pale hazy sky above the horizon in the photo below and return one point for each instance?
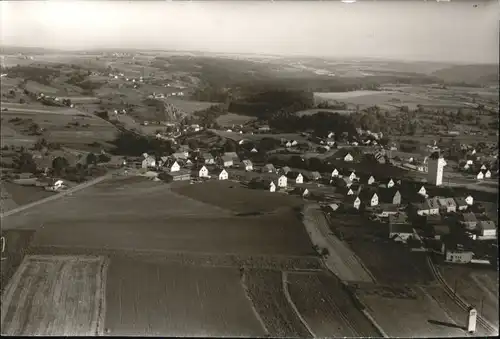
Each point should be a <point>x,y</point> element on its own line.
<point>453,31</point>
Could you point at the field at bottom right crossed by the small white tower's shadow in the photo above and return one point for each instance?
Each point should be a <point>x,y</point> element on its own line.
<point>409,313</point>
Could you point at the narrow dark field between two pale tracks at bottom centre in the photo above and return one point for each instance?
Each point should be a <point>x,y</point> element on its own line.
<point>265,290</point>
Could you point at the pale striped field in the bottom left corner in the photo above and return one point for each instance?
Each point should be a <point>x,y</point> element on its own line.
<point>54,296</point>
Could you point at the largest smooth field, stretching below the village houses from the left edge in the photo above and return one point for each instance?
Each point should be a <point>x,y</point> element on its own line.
<point>111,217</point>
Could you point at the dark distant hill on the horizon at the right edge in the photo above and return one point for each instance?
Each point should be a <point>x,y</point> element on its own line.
<point>473,74</point>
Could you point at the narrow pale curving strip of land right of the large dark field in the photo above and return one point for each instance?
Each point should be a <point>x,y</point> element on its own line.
<point>341,261</point>
